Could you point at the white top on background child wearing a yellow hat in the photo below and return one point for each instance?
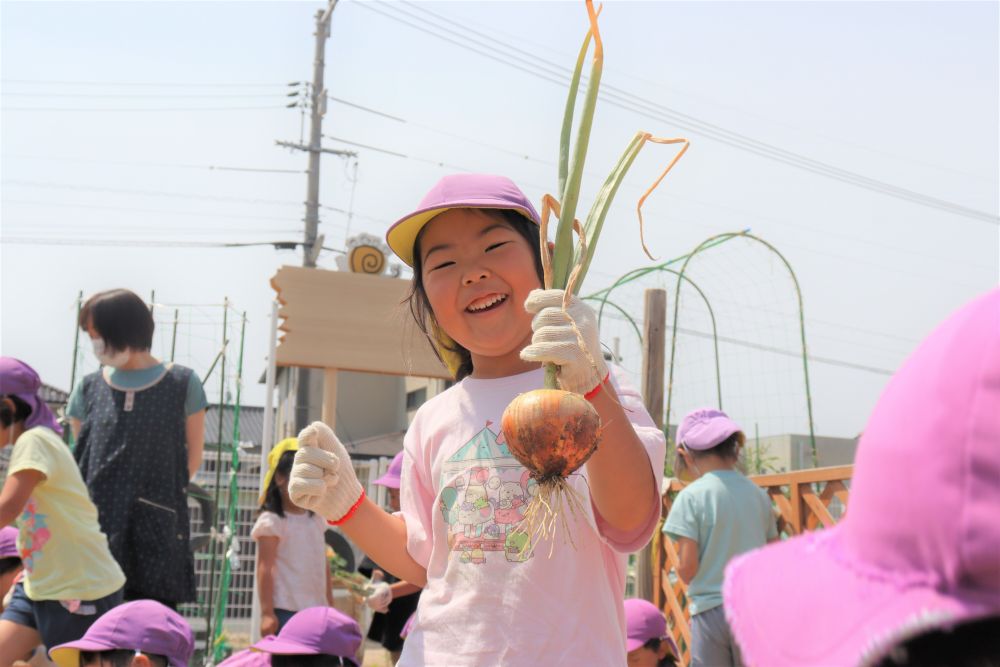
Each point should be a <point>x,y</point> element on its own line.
<point>300,567</point>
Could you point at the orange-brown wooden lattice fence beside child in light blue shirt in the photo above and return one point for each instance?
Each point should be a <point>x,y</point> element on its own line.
<point>803,500</point>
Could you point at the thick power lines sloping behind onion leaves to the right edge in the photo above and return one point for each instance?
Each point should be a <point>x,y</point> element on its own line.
<point>559,75</point>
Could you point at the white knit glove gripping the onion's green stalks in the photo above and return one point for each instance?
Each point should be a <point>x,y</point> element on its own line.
<point>581,367</point>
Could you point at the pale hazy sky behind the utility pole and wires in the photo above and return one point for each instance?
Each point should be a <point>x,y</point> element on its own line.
<point>904,93</point>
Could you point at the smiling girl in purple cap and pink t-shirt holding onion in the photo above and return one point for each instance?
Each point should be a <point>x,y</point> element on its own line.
<point>473,244</point>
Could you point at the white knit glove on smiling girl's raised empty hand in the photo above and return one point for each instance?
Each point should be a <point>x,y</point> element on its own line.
<point>323,478</point>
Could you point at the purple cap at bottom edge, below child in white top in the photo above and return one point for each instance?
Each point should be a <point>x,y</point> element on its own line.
<point>315,631</point>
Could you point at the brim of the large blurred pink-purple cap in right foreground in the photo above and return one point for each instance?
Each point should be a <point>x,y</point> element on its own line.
<point>826,609</point>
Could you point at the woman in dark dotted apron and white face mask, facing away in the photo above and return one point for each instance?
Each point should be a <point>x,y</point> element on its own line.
<point>140,428</point>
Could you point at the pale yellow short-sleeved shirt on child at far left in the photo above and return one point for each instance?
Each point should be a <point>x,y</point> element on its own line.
<point>65,554</point>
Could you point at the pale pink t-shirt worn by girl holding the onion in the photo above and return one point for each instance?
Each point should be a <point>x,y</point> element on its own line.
<point>462,496</point>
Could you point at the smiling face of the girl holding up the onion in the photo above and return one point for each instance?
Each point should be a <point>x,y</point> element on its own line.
<point>477,271</point>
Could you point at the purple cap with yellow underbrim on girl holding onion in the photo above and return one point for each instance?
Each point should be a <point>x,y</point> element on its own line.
<point>457,191</point>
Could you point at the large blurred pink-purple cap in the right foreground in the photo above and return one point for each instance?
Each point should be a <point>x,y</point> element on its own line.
<point>920,545</point>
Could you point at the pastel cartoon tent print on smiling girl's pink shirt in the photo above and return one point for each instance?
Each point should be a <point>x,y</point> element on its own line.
<point>484,494</point>
